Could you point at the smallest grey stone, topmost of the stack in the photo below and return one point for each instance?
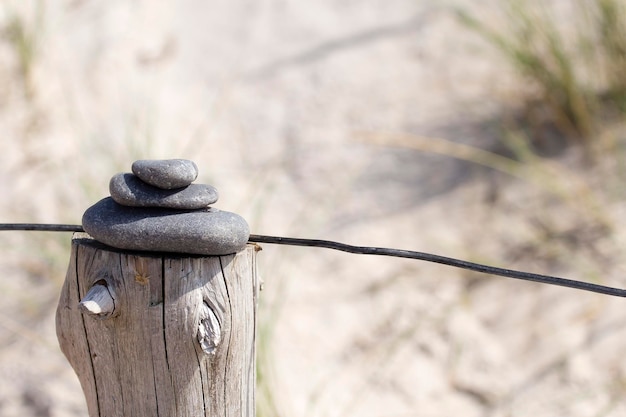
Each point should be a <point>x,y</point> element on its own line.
<point>166,173</point>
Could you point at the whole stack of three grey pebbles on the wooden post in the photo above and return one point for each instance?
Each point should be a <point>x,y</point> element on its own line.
<point>157,208</point>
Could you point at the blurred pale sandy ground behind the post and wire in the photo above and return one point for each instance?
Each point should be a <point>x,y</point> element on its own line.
<point>314,119</point>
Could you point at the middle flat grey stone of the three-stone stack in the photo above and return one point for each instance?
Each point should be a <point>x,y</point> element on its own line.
<point>129,190</point>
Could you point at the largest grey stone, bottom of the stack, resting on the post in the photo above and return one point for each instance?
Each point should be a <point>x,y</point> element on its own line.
<point>203,232</point>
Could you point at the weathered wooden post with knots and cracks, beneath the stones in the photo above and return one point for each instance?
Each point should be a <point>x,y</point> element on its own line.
<point>160,335</point>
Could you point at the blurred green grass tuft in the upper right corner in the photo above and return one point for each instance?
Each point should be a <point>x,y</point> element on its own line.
<point>577,71</point>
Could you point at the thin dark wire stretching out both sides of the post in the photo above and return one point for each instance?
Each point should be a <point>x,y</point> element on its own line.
<point>368,250</point>
